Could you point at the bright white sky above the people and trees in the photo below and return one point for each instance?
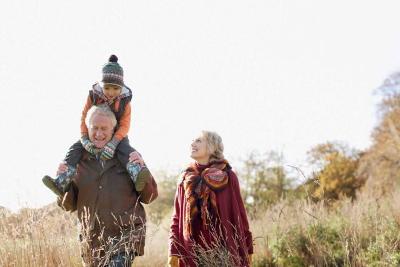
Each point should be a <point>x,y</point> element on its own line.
<point>283,75</point>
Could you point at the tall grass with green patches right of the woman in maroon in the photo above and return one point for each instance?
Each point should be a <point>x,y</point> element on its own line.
<point>361,233</point>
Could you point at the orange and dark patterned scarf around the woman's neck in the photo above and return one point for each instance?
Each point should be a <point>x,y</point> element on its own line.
<point>200,187</point>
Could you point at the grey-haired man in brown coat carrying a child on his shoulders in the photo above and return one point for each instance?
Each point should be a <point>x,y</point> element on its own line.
<point>108,204</point>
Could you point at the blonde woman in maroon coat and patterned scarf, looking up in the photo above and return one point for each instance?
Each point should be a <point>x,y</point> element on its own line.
<point>209,222</point>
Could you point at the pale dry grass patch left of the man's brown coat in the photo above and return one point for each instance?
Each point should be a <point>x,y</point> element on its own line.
<point>39,237</point>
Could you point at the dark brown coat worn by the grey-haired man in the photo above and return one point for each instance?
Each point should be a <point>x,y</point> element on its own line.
<point>110,212</point>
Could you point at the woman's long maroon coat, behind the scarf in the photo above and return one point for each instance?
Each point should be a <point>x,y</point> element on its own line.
<point>233,222</point>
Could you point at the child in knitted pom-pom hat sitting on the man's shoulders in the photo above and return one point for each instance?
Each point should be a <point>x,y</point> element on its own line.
<point>117,95</point>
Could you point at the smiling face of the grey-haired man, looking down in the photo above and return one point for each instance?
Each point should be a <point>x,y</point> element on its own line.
<point>100,130</point>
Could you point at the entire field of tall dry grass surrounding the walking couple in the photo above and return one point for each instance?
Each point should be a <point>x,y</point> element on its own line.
<point>299,233</point>
